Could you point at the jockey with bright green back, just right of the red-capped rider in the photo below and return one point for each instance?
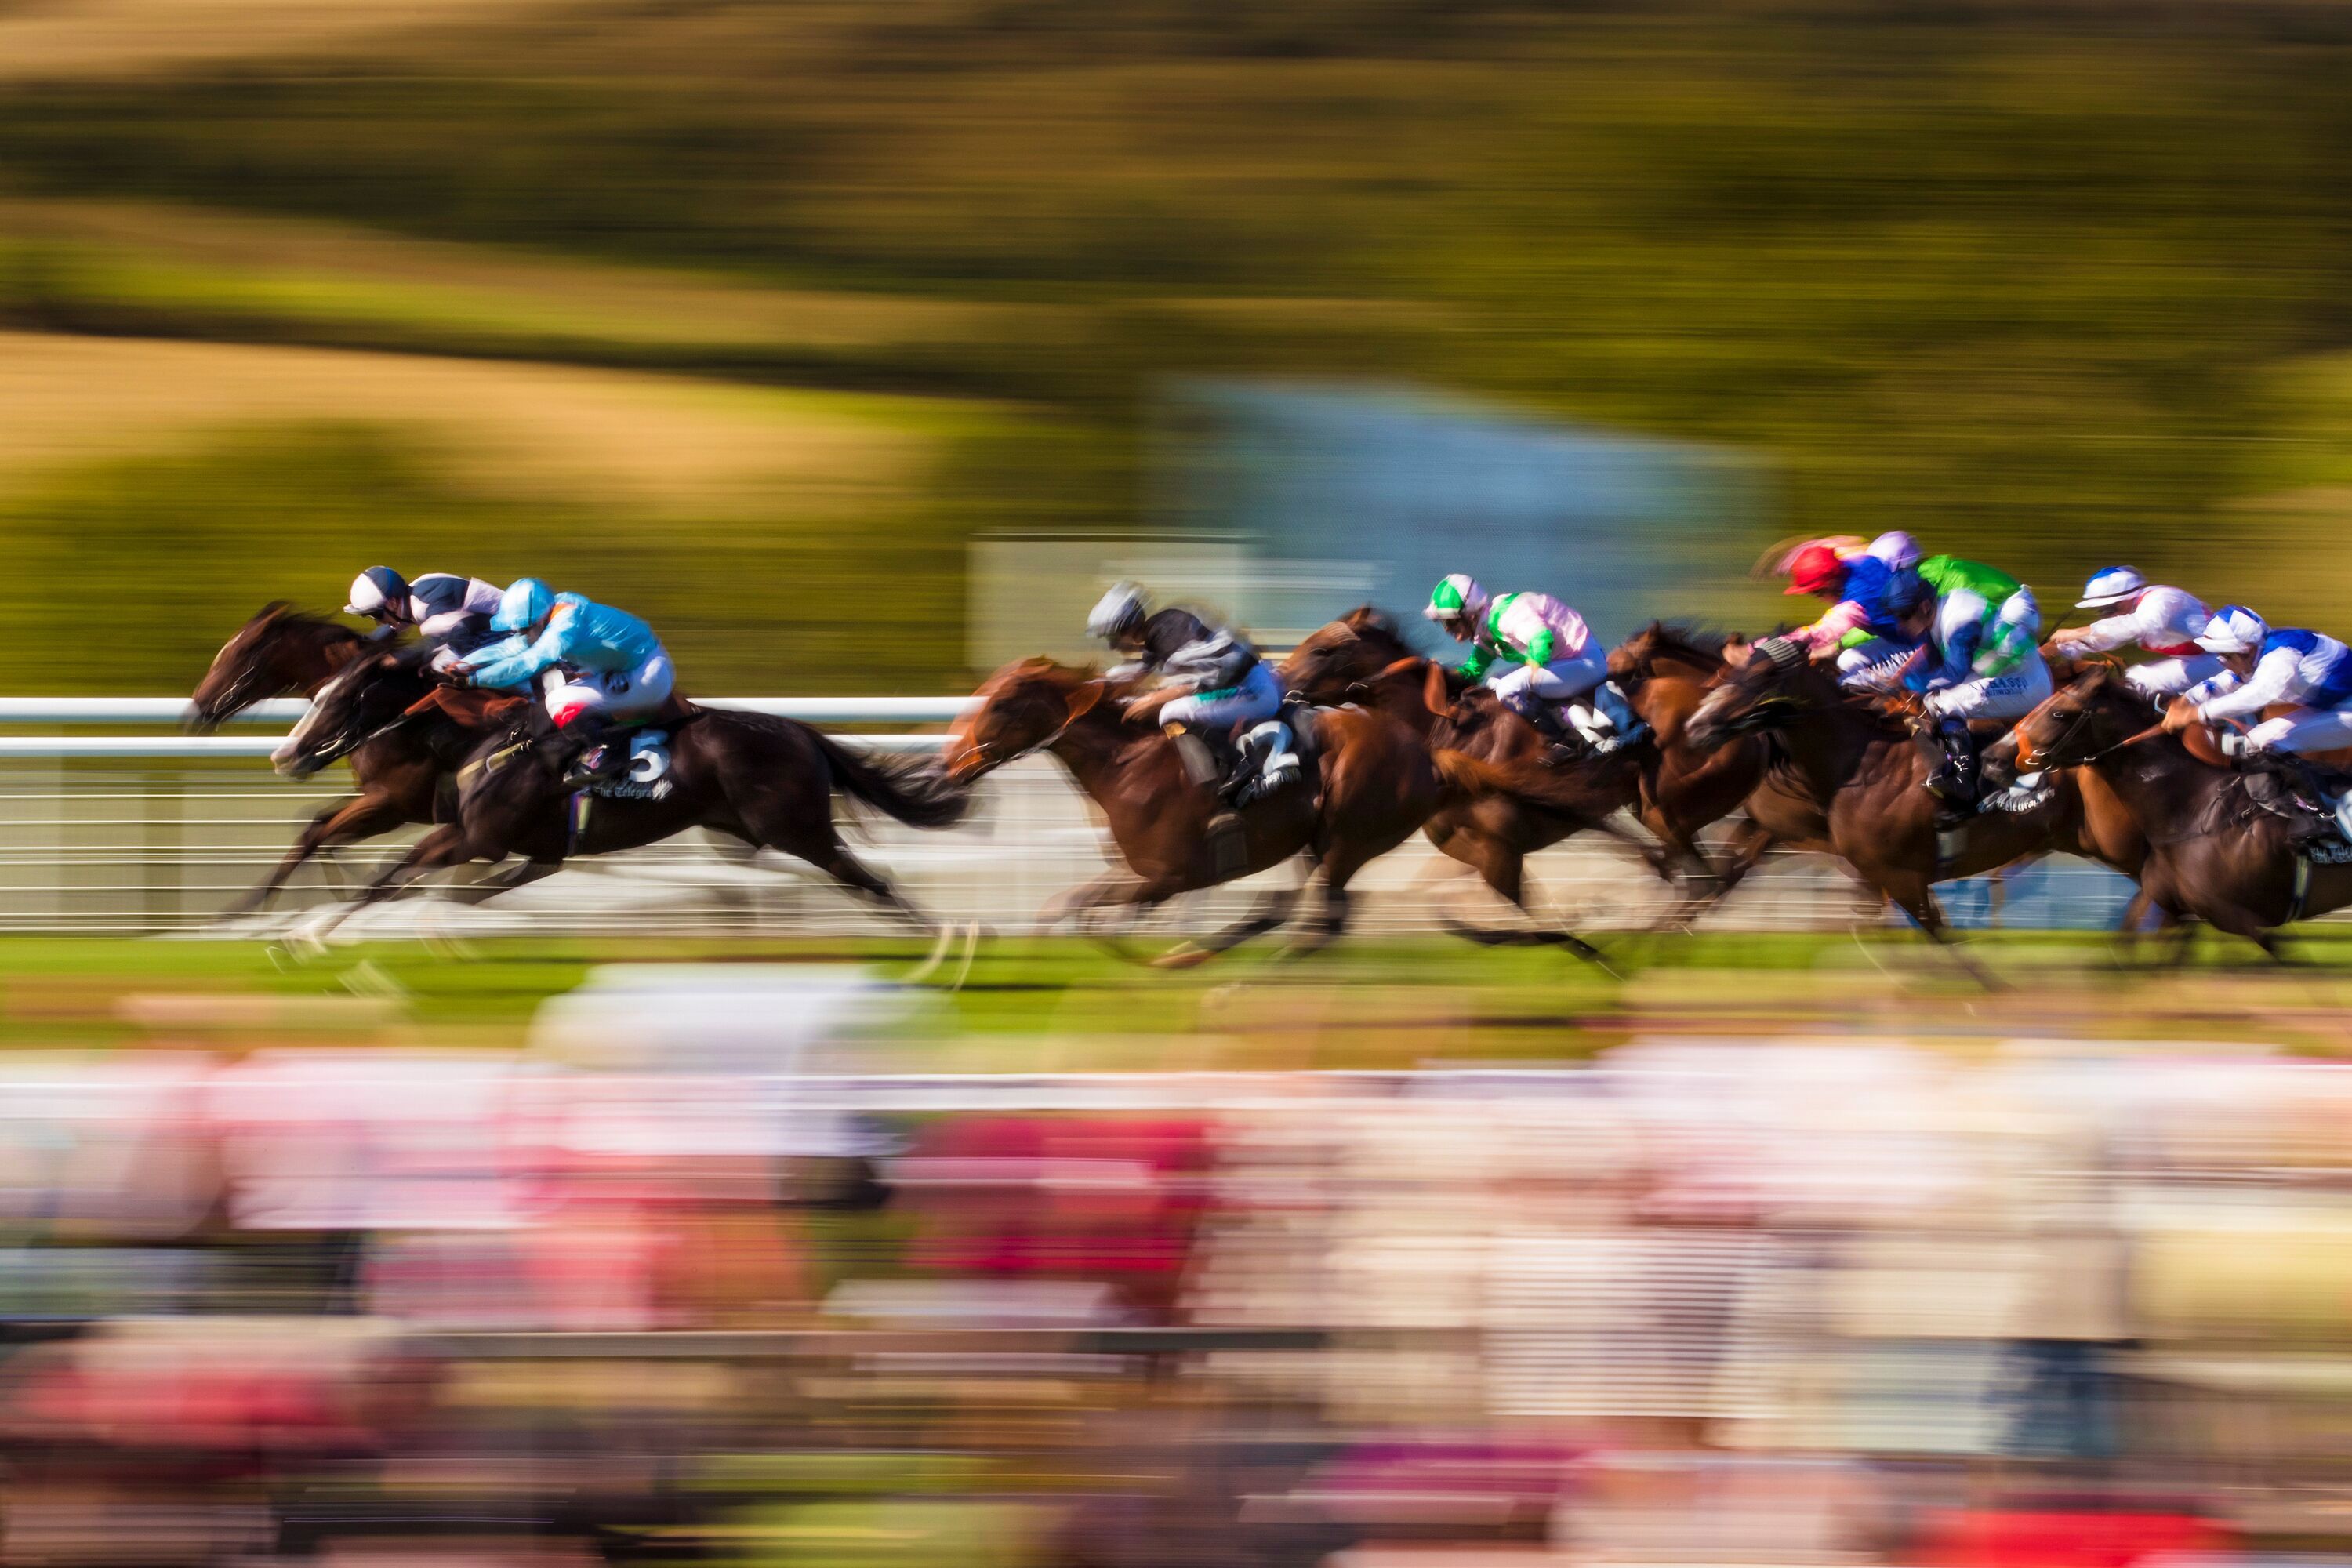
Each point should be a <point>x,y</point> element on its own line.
<point>1982,664</point>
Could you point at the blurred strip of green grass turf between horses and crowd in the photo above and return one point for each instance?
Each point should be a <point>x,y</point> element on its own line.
<point>1067,1005</point>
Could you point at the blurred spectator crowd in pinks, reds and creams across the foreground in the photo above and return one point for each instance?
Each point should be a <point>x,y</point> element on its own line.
<point>1697,1301</point>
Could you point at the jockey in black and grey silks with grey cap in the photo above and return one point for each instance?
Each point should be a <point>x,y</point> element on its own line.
<point>1217,683</point>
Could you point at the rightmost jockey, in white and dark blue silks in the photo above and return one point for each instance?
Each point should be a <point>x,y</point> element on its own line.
<point>2261,669</point>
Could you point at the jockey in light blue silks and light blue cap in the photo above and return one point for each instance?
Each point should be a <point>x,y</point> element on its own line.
<point>615,671</point>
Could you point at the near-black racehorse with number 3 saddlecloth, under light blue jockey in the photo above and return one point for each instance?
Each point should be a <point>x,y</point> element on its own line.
<point>754,777</point>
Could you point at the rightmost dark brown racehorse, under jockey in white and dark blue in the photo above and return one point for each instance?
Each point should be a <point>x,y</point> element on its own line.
<point>2212,852</point>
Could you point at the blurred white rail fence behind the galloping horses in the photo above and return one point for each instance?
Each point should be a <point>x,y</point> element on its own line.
<point>159,833</point>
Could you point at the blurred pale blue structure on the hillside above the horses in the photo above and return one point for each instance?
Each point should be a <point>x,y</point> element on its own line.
<point>1349,495</point>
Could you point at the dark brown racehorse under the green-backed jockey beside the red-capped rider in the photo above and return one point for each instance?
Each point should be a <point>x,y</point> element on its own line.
<point>1850,779</point>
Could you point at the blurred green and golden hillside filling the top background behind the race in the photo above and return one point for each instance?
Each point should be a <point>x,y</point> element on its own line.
<point>749,314</point>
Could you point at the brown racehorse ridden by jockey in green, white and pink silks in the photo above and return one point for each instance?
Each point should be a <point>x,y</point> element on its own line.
<point>1506,798</point>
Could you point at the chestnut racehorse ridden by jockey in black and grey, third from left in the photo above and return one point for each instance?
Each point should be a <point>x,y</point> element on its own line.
<point>1377,789</point>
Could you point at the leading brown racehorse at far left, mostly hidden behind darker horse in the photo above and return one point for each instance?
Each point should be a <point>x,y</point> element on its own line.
<point>286,652</point>
